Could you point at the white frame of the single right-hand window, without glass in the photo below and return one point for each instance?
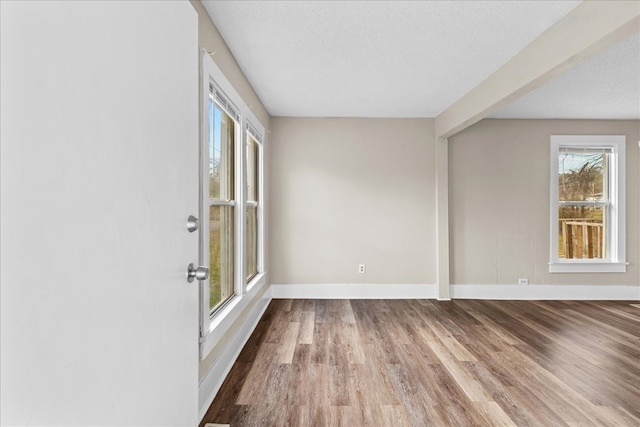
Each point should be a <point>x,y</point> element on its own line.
<point>615,260</point>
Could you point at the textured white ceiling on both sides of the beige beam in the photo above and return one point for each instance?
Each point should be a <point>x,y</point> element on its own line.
<point>411,58</point>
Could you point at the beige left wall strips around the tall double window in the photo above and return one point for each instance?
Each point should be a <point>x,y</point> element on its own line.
<point>210,39</point>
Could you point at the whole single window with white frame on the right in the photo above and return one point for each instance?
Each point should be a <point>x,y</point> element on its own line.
<point>587,203</point>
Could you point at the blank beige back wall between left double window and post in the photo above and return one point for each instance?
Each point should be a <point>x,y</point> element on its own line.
<point>351,191</point>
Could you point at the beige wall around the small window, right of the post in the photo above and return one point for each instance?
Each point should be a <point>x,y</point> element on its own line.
<point>499,201</point>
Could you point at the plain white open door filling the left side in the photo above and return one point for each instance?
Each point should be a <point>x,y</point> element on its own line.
<point>99,163</point>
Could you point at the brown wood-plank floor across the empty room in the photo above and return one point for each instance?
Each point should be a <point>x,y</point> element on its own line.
<point>430,363</point>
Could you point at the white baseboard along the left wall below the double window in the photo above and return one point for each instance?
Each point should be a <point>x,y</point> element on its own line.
<point>213,380</point>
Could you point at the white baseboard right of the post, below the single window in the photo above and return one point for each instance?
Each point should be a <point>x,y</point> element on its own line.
<point>547,292</point>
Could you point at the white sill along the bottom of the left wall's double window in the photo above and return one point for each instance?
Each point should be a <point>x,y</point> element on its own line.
<point>225,318</point>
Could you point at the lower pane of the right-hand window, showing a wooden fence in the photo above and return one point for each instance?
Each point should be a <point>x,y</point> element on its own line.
<point>581,232</point>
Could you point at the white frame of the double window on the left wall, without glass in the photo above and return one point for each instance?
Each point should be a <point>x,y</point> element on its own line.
<point>214,326</point>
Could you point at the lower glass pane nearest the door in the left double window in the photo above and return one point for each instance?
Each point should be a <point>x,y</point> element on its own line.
<point>220,255</point>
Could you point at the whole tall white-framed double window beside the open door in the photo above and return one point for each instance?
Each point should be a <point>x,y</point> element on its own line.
<point>230,195</point>
